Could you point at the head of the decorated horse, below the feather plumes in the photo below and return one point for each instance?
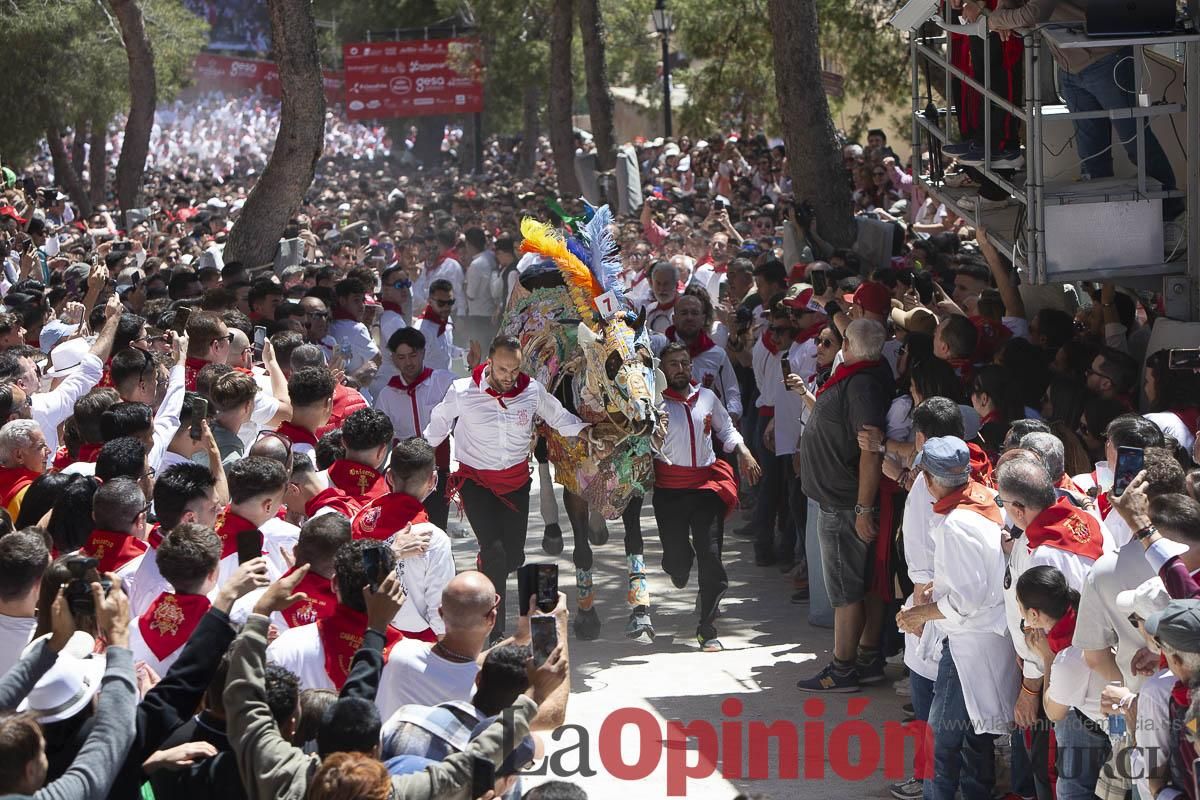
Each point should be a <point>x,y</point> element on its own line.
<point>621,366</point>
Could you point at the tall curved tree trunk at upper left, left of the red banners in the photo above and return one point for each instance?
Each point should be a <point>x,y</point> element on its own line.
<point>143,97</point>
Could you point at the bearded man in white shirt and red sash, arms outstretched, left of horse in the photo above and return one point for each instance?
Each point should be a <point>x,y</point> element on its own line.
<point>493,416</point>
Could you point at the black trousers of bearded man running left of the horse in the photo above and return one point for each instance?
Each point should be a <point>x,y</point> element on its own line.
<point>501,533</point>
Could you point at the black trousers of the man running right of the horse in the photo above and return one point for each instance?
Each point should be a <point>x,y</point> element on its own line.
<point>686,521</point>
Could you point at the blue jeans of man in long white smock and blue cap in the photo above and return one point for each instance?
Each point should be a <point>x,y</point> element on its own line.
<point>963,759</point>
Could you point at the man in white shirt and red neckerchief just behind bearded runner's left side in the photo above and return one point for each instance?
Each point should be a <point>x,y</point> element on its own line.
<point>409,400</point>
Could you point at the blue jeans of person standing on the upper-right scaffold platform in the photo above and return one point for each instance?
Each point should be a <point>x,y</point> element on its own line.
<point>1096,89</point>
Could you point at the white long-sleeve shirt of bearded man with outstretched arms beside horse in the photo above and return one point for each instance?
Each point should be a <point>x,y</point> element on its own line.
<point>494,435</point>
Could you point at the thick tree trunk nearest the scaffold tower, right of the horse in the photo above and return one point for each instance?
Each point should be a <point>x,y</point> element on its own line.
<point>813,153</point>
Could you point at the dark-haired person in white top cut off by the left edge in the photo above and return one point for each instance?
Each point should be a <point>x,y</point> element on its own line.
<point>23,562</point>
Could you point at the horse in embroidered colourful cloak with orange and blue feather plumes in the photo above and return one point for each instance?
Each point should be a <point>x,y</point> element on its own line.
<point>584,342</point>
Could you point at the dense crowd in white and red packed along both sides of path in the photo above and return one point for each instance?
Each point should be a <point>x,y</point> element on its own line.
<point>224,563</point>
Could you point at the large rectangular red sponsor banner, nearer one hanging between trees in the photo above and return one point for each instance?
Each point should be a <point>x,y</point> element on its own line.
<point>413,79</point>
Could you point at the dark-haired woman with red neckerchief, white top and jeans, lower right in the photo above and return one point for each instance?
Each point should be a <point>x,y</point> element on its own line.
<point>1071,691</point>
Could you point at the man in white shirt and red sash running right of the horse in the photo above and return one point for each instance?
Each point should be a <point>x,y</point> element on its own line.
<point>695,489</point>
